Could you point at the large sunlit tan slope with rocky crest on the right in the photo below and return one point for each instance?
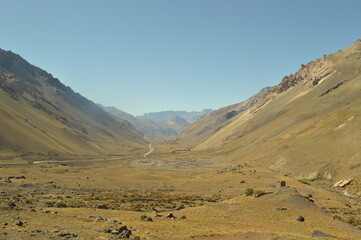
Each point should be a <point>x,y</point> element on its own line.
<point>308,125</point>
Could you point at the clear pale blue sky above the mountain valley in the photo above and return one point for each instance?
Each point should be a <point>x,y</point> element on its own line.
<point>156,55</point>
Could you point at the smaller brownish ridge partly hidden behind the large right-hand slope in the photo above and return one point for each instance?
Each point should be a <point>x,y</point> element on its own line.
<point>208,124</point>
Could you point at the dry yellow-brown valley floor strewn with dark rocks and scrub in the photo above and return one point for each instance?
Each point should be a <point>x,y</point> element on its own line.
<point>93,200</point>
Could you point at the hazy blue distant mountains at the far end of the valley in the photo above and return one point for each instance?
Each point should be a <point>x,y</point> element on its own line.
<point>158,124</point>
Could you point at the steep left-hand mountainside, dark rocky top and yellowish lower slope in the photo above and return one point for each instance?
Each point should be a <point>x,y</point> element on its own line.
<point>41,116</point>
